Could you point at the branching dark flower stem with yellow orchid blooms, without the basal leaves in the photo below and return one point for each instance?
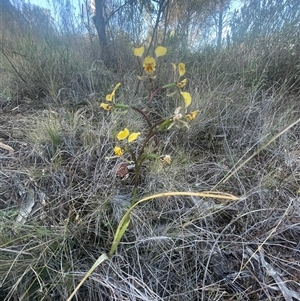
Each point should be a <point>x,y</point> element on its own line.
<point>181,117</point>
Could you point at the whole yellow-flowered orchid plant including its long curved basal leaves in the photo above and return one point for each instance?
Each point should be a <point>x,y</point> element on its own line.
<point>125,138</point>
